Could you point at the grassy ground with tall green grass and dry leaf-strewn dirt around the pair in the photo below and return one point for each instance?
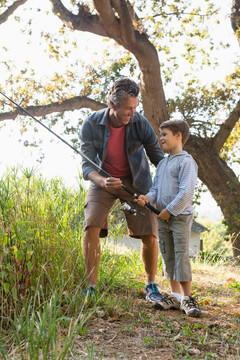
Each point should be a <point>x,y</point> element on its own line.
<point>43,312</point>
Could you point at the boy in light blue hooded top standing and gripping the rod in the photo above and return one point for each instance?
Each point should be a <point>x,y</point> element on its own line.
<point>172,191</point>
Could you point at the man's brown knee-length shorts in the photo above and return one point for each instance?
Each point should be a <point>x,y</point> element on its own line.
<point>99,203</point>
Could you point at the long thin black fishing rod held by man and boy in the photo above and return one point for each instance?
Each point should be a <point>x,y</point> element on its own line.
<point>129,191</point>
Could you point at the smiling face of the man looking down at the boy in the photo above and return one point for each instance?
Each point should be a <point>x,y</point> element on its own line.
<point>120,115</point>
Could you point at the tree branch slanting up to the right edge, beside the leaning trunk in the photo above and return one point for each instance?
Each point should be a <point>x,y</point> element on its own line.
<point>226,128</point>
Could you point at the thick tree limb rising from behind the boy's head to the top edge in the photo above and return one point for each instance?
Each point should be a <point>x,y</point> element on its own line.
<point>115,20</point>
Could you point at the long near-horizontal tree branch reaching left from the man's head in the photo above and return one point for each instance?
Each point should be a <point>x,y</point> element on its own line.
<point>76,103</point>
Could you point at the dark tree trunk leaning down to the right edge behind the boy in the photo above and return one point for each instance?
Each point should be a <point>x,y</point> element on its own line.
<point>221,182</point>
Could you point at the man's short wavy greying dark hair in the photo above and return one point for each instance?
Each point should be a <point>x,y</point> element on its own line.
<point>122,88</point>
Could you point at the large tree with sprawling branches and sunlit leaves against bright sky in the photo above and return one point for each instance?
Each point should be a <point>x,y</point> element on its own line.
<point>174,49</point>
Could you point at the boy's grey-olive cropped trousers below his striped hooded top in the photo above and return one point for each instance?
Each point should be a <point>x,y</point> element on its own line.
<point>174,246</point>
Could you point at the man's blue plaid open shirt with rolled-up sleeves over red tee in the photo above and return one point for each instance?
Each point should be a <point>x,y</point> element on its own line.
<point>140,142</point>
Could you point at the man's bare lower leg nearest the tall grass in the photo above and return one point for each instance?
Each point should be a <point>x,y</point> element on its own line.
<point>91,253</point>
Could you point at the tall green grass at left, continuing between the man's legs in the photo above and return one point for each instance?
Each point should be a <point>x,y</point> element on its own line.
<point>42,306</point>
